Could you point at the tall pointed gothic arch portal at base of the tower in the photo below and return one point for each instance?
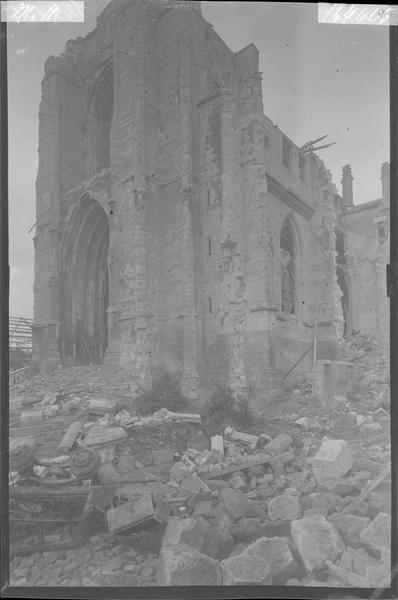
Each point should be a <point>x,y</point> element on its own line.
<point>85,289</point>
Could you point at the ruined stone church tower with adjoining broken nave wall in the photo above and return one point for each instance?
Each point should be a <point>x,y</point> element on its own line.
<point>178,229</point>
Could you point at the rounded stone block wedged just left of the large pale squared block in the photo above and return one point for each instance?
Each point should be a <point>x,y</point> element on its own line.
<point>277,554</point>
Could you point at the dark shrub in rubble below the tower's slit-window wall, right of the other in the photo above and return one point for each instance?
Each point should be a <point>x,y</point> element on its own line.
<point>225,408</point>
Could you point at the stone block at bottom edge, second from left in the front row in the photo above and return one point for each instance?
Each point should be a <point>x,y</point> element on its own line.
<point>245,569</point>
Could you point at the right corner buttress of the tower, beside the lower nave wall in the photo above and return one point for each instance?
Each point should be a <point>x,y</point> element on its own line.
<point>256,231</point>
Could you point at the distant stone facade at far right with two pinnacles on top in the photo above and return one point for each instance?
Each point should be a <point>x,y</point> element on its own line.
<point>363,251</point>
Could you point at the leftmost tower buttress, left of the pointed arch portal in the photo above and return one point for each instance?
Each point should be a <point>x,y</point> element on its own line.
<point>60,115</point>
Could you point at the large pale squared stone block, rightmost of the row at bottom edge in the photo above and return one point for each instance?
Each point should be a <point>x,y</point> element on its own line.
<point>316,540</point>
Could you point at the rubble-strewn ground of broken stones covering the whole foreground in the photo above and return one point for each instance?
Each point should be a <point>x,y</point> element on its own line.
<point>301,497</point>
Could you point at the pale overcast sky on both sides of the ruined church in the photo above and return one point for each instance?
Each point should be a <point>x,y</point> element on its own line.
<point>317,79</point>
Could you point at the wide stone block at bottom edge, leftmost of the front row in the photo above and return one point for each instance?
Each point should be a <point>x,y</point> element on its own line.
<point>183,565</point>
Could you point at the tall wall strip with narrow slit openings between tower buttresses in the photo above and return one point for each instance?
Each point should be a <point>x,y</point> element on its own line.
<point>223,295</point>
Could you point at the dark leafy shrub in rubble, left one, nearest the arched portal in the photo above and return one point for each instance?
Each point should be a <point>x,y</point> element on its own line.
<point>164,393</point>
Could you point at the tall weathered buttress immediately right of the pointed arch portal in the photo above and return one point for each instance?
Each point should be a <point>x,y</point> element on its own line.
<point>137,336</point>
